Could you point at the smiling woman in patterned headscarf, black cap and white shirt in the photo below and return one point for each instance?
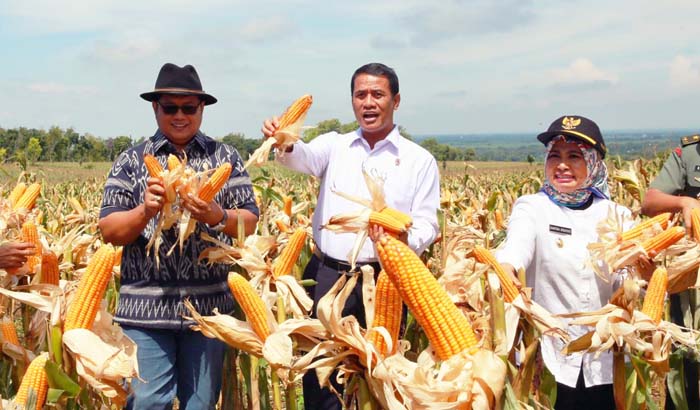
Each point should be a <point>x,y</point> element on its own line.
<point>548,234</point>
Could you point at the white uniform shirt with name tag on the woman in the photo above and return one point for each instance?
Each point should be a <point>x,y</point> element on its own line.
<point>550,242</point>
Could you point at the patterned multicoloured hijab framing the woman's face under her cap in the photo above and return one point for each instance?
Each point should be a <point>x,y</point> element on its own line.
<point>596,182</point>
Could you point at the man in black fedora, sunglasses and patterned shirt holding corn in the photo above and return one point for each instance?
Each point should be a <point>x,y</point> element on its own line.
<point>173,360</point>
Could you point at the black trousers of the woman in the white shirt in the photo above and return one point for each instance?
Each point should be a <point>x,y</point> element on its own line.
<point>581,397</point>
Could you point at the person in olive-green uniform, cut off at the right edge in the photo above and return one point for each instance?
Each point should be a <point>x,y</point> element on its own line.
<point>676,189</point>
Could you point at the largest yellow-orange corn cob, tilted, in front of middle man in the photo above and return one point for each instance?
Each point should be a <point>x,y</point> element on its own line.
<point>448,330</point>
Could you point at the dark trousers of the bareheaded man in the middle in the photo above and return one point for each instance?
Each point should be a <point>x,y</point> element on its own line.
<point>316,398</point>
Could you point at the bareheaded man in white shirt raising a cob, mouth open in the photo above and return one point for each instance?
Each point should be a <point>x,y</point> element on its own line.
<point>411,185</point>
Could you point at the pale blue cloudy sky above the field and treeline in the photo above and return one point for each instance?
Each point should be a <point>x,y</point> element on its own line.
<point>469,66</point>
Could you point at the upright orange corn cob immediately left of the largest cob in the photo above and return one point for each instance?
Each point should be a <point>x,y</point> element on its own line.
<point>387,313</point>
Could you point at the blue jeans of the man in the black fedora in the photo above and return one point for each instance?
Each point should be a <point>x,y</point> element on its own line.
<point>175,362</point>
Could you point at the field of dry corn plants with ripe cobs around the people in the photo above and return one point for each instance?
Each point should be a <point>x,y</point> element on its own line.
<point>466,324</point>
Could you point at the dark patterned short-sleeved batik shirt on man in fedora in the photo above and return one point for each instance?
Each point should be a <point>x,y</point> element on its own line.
<point>152,296</point>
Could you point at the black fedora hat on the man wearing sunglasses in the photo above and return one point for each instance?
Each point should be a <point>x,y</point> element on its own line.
<point>179,81</point>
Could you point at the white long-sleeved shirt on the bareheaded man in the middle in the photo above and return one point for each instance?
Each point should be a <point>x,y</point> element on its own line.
<point>411,185</point>
